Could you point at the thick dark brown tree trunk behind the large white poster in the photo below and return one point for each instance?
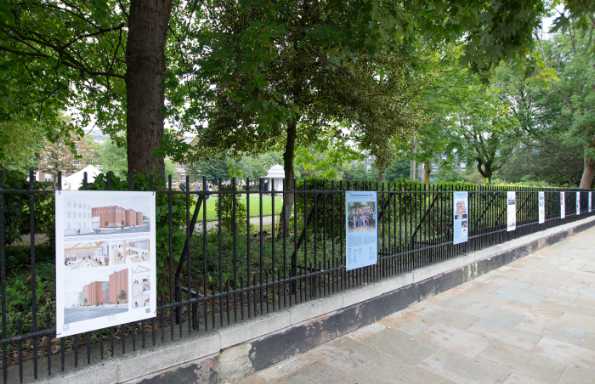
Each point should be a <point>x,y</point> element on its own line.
<point>145,61</point>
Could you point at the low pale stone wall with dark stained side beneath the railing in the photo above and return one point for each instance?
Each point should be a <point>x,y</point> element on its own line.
<point>231,353</point>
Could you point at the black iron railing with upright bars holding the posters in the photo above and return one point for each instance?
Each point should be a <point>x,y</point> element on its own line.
<point>226,253</point>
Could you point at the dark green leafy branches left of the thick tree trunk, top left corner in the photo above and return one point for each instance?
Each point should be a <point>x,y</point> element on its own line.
<point>59,54</point>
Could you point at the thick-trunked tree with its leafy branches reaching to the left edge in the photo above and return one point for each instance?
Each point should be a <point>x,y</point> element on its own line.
<point>105,58</point>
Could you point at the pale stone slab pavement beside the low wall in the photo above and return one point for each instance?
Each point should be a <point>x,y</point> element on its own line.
<point>530,322</point>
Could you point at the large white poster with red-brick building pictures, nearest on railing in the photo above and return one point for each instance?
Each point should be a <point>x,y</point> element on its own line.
<point>105,259</point>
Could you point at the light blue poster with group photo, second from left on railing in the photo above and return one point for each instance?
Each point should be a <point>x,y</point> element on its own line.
<point>361,224</point>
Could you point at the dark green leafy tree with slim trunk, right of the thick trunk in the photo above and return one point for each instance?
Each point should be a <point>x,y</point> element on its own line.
<point>280,73</point>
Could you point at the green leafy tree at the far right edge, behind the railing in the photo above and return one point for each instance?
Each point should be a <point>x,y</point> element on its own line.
<point>551,96</point>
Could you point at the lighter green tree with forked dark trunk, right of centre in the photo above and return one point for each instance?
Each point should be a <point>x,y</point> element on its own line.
<point>466,116</point>
